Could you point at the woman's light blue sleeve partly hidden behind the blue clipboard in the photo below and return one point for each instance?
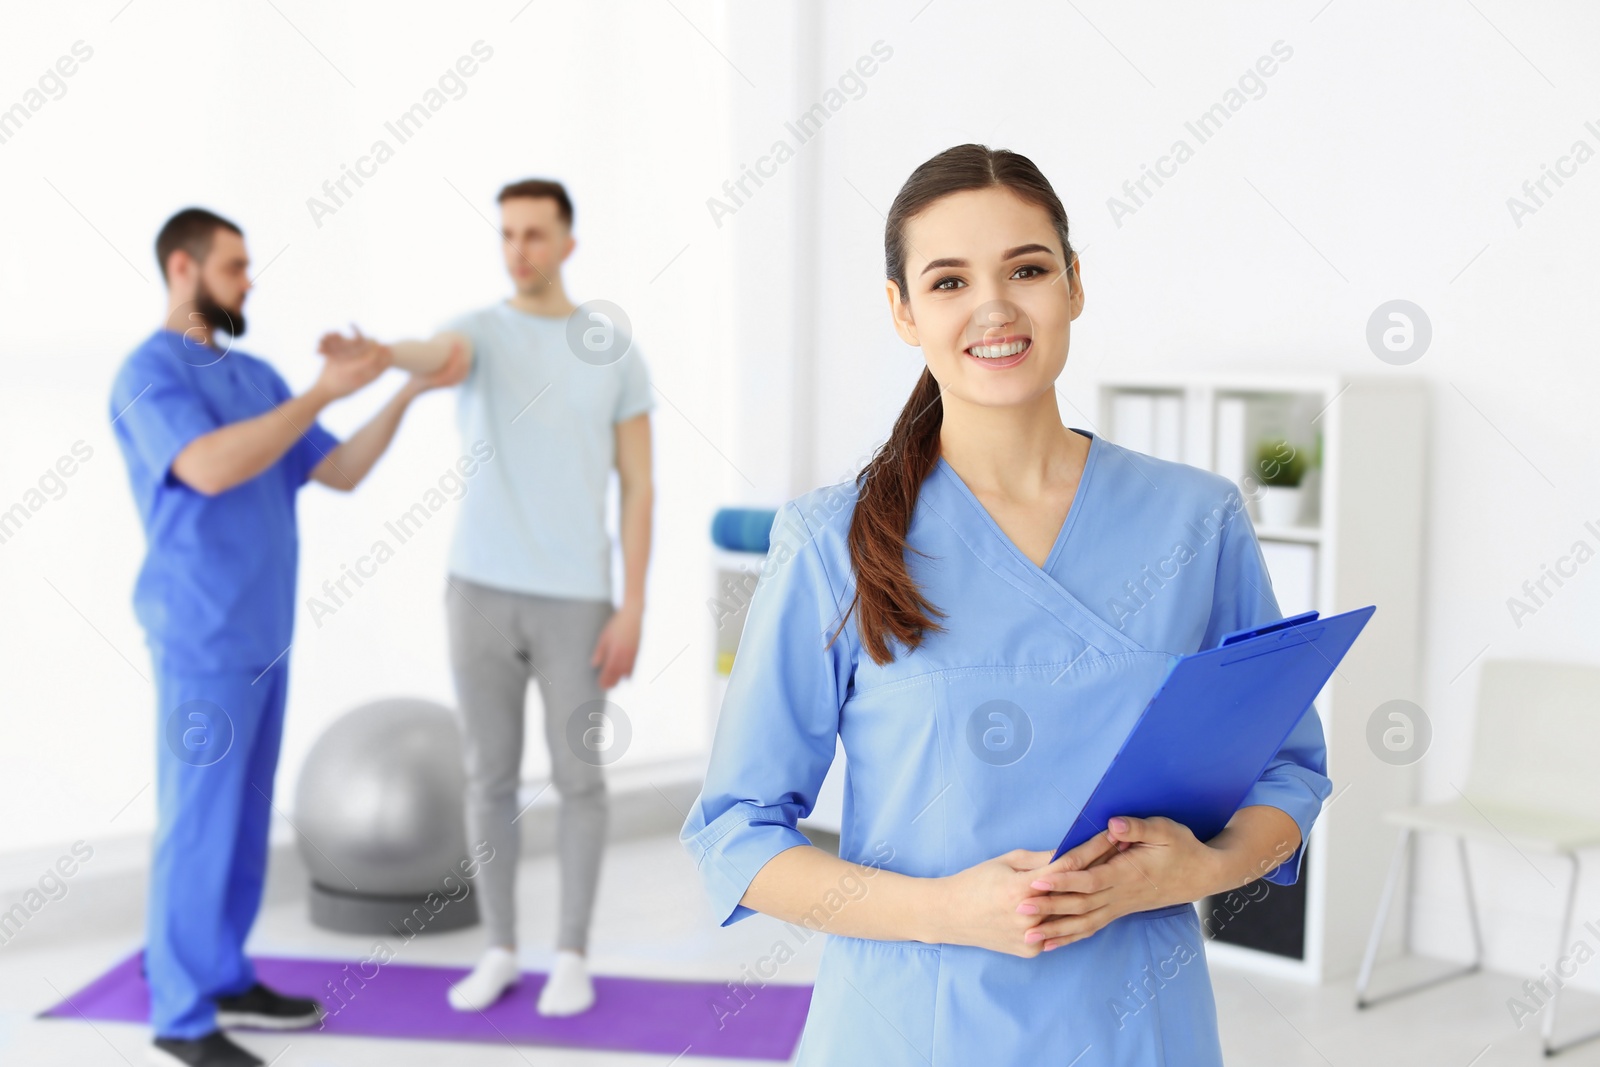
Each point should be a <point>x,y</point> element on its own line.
<point>1297,780</point>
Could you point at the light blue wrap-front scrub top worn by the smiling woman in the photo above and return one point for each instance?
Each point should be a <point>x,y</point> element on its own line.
<point>1154,561</point>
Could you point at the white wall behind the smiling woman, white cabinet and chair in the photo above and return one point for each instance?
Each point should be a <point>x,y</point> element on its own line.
<point>1377,166</point>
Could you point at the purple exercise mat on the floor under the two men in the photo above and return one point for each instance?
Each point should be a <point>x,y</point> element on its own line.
<point>633,1015</point>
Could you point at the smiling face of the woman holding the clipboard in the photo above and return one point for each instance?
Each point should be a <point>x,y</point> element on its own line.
<point>991,300</point>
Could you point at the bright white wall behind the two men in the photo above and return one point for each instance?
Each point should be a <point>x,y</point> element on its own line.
<point>236,110</point>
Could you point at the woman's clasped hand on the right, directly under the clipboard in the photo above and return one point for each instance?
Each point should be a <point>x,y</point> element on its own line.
<point>1135,866</point>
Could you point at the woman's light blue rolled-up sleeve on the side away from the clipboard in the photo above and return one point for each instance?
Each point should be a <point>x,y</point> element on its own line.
<point>780,719</point>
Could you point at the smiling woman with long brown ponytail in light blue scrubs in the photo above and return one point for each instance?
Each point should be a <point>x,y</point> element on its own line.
<point>980,617</point>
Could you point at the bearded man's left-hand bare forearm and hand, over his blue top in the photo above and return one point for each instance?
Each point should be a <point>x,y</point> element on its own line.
<point>233,455</point>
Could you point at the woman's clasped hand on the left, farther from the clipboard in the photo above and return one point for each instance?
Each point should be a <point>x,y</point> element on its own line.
<point>982,906</point>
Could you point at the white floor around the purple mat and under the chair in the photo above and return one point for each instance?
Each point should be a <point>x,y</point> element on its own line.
<point>644,929</point>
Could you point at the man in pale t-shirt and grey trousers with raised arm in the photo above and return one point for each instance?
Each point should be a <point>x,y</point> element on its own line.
<point>554,399</point>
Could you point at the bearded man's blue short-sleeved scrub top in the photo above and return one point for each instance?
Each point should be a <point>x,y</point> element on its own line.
<point>217,591</point>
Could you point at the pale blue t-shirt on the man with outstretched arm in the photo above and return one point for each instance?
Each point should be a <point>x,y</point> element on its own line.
<point>534,518</point>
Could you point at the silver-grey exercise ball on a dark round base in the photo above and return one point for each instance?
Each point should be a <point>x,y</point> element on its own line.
<point>378,812</point>
